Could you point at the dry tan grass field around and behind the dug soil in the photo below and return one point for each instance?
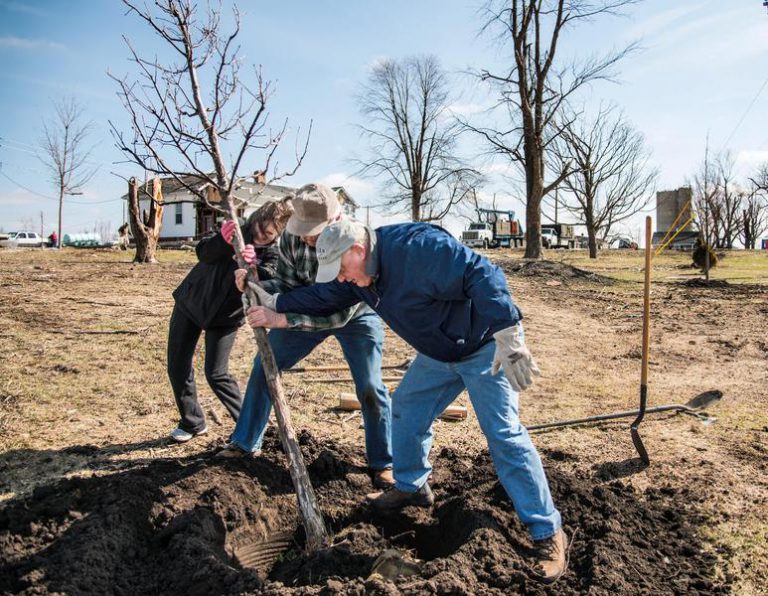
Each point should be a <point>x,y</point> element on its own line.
<point>83,388</point>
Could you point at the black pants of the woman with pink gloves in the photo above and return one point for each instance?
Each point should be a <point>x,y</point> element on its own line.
<point>183,335</point>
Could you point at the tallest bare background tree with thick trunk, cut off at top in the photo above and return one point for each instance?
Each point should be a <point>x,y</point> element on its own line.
<point>534,88</point>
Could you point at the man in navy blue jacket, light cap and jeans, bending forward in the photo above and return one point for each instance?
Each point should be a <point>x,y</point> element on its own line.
<point>453,306</point>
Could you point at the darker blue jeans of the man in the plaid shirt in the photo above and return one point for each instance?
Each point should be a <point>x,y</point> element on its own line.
<point>361,342</point>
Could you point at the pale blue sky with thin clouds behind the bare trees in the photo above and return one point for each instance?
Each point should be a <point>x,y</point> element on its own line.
<point>702,65</point>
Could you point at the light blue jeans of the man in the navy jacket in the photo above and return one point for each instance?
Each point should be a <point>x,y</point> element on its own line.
<point>428,388</point>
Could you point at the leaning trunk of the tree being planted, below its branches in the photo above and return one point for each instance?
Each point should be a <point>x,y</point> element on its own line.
<point>317,534</point>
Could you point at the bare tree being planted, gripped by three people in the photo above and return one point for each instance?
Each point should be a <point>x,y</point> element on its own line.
<point>187,115</point>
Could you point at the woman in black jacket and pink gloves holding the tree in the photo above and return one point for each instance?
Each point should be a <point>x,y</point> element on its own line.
<point>207,300</point>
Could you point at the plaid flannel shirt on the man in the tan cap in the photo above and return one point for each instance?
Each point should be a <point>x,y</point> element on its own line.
<point>297,268</point>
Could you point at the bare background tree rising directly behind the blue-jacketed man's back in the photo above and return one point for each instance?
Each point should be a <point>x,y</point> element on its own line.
<point>413,138</point>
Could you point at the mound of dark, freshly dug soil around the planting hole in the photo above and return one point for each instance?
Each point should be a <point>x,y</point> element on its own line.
<point>173,526</point>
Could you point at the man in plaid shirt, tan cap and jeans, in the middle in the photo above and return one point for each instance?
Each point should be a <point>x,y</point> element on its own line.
<point>357,328</point>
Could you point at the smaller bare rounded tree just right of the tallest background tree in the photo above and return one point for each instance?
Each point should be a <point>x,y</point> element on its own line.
<point>612,180</point>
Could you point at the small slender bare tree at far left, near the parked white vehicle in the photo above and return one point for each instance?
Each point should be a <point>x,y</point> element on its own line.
<point>65,152</point>
